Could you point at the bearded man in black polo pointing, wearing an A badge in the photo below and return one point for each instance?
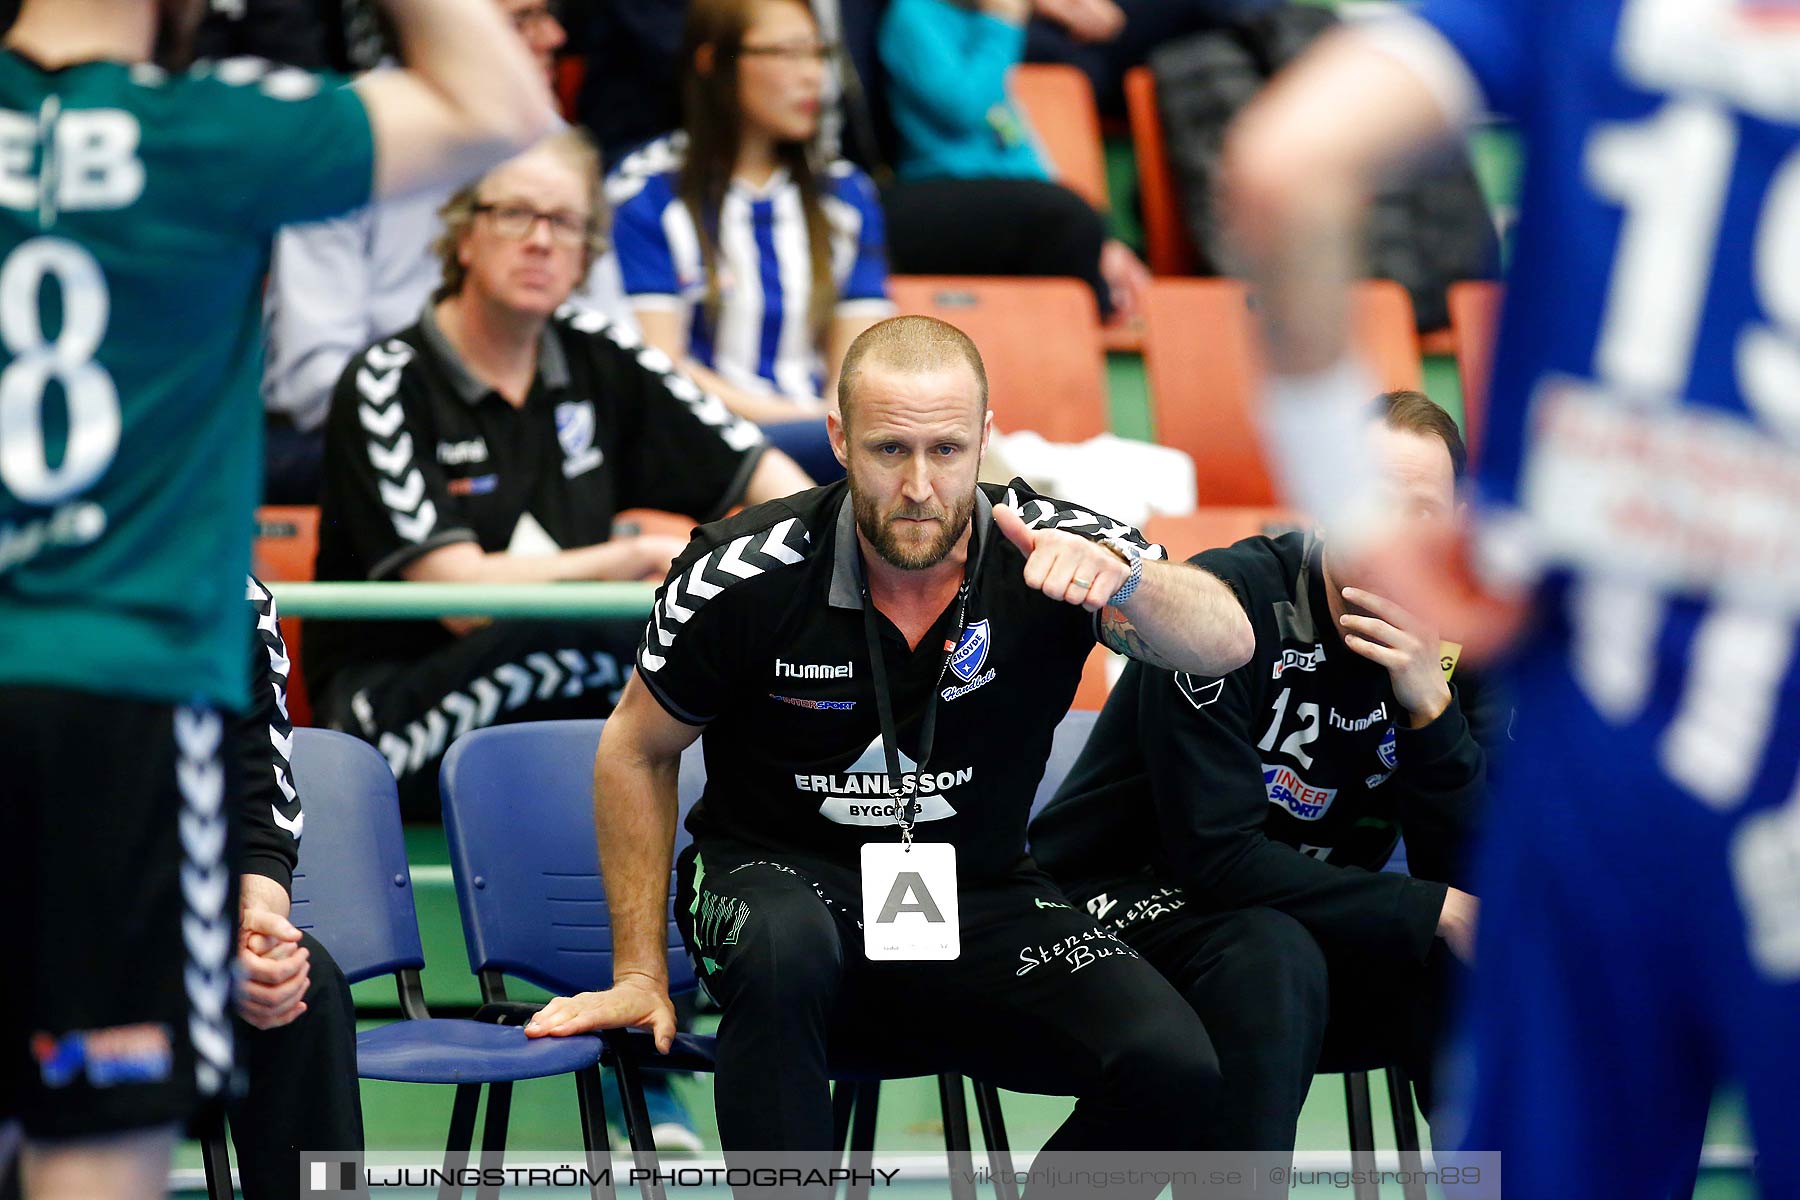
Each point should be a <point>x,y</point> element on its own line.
<point>879,668</point>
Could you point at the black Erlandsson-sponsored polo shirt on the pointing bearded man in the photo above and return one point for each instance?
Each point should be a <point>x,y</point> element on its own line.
<point>759,634</point>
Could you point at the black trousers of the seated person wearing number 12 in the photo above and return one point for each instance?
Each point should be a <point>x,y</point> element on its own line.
<point>1277,1007</point>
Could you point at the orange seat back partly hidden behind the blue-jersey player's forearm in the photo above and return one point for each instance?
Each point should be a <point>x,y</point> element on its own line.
<point>1205,368</point>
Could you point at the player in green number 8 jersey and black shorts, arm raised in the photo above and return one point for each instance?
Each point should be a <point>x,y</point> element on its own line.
<point>136,215</point>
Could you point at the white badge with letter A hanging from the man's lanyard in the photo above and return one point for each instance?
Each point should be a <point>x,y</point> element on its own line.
<point>910,909</point>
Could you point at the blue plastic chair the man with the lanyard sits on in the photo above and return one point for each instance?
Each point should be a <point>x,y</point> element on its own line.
<point>521,828</point>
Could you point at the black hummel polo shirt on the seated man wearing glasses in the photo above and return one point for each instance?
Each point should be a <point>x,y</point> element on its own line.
<point>422,454</point>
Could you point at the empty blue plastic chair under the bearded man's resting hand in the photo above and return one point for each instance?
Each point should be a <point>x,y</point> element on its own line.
<point>354,893</point>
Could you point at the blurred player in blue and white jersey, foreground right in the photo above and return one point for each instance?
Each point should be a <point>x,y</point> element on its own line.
<point>1641,927</point>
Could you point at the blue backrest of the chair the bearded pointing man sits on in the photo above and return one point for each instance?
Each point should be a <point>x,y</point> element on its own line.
<point>519,814</point>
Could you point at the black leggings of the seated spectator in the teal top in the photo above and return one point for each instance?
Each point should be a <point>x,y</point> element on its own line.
<point>994,228</point>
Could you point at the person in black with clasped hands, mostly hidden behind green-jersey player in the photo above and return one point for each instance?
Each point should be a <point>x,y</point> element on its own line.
<point>298,1026</point>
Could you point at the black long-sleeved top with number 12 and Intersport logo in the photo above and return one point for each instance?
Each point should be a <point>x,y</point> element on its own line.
<point>1284,784</point>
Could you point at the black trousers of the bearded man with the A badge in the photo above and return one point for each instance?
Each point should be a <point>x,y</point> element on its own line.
<point>1039,1001</point>
